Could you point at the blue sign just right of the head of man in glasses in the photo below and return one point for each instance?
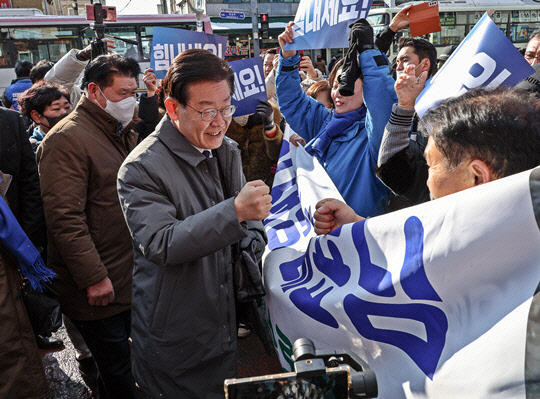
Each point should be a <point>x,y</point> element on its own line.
<point>249,86</point>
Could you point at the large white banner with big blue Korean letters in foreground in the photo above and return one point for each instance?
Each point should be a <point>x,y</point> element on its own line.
<point>436,298</point>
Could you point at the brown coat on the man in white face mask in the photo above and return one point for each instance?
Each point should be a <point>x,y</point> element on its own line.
<point>78,162</point>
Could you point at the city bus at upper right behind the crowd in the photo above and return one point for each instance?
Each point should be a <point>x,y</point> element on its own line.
<point>517,19</point>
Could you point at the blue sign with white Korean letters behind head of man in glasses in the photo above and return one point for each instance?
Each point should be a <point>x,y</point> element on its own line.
<point>167,43</point>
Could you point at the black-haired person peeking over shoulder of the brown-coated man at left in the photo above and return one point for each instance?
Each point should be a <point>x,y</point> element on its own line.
<point>45,104</point>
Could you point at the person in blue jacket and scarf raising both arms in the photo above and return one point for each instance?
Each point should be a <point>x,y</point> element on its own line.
<point>346,141</point>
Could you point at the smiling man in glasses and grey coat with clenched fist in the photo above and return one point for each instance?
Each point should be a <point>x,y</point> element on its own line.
<point>187,204</point>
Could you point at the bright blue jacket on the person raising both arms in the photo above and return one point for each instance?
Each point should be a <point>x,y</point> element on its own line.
<point>352,156</point>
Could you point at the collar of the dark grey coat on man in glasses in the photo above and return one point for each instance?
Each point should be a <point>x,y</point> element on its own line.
<point>182,147</point>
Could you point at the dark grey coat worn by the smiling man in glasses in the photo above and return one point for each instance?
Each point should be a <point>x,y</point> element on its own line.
<point>183,224</point>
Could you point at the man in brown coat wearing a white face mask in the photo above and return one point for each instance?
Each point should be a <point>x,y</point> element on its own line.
<point>90,247</point>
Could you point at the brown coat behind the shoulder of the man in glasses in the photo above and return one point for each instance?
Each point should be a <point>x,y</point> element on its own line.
<point>259,153</point>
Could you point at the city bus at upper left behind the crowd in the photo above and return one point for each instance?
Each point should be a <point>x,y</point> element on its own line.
<point>36,37</point>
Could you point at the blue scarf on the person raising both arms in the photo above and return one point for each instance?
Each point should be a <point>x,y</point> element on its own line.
<point>336,127</point>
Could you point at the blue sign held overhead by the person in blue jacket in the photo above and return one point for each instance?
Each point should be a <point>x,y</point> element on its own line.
<point>325,23</point>
